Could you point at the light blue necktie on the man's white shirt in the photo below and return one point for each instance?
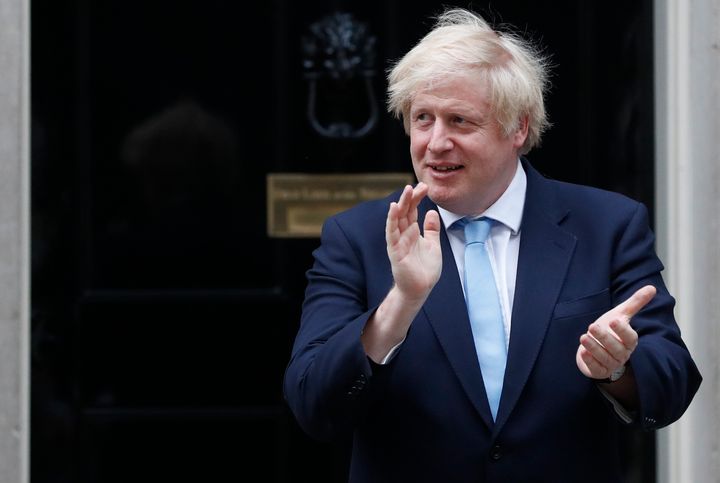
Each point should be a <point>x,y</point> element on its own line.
<point>484,309</point>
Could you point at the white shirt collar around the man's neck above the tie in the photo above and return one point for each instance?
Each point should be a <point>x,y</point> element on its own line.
<point>508,209</point>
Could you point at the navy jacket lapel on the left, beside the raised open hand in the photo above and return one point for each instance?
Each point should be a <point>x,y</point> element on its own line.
<point>447,314</point>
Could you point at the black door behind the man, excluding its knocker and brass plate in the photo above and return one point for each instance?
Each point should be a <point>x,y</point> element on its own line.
<point>162,313</point>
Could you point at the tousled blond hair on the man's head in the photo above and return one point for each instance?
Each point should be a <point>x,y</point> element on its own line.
<point>461,43</point>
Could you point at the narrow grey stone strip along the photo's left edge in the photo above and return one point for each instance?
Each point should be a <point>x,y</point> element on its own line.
<point>14,240</point>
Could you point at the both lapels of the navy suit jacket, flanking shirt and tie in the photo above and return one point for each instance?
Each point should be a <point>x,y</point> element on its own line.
<point>545,253</point>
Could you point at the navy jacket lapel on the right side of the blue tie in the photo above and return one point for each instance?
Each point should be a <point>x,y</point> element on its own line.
<point>545,252</point>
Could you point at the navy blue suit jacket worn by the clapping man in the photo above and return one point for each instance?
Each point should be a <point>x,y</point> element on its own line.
<point>424,417</point>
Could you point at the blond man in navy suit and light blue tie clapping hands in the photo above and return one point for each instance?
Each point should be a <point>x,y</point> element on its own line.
<point>528,377</point>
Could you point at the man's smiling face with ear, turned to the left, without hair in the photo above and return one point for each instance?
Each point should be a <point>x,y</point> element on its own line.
<point>458,148</point>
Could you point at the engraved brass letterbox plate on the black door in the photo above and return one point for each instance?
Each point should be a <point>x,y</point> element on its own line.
<point>298,204</point>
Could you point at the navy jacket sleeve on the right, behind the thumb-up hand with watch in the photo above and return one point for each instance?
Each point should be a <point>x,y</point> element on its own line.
<point>667,378</point>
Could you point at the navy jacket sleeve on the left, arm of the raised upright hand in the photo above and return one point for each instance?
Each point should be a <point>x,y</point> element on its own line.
<point>325,381</point>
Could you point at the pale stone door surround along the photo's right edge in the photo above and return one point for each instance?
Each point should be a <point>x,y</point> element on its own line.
<point>687,39</point>
